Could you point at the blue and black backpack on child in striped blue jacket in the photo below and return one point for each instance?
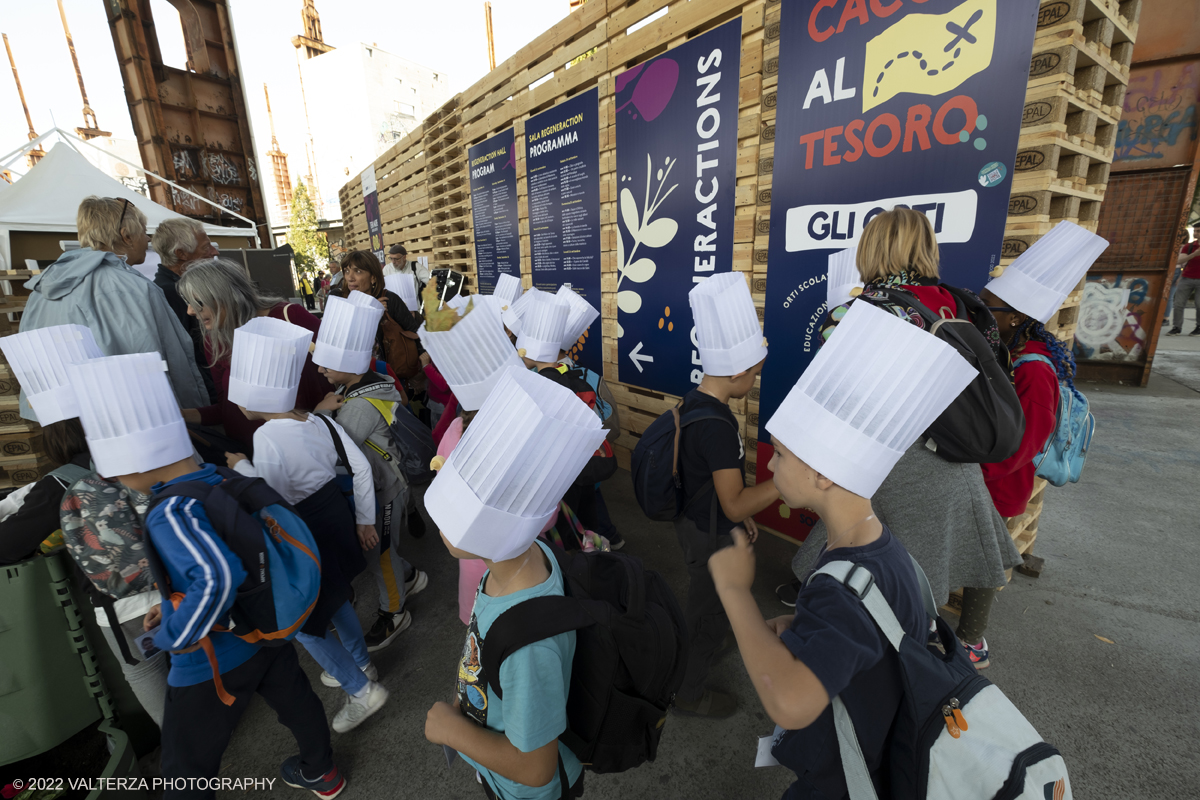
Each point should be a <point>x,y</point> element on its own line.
<point>277,550</point>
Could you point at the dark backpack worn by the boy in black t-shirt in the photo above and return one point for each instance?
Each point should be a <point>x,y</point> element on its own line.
<point>655,465</point>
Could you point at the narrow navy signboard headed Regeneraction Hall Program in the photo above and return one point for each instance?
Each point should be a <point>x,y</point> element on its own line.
<point>494,209</point>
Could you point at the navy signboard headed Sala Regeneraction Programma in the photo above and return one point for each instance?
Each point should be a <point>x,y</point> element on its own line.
<point>563,175</point>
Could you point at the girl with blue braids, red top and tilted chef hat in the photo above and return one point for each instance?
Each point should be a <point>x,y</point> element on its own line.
<point>1023,298</point>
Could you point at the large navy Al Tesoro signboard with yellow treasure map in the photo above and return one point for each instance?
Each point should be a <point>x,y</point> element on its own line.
<point>885,105</point>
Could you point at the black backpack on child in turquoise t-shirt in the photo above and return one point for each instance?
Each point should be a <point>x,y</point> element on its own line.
<point>631,654</point>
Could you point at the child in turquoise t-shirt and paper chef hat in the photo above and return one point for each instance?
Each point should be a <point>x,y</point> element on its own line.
<point>490,500</point>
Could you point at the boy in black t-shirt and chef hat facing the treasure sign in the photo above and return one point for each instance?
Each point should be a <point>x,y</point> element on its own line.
<point>712,462</point>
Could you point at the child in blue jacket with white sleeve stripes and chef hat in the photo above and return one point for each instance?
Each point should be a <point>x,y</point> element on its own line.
<point>137,435</point>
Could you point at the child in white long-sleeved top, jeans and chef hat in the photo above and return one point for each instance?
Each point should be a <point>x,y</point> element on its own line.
<point>298,454</point>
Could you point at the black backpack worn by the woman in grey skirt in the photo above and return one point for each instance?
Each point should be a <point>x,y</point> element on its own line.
<point>985,424</point>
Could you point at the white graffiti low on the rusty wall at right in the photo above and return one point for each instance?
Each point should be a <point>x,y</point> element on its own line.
<point>1114,317</point>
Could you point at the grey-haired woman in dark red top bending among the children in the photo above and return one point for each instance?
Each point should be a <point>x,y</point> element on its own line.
<point>223,298</point>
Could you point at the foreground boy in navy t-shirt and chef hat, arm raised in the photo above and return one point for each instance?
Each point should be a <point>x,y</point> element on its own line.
<point>866,398</point>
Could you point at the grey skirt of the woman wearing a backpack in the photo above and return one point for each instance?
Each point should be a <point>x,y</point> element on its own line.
<point>945,518</point>
